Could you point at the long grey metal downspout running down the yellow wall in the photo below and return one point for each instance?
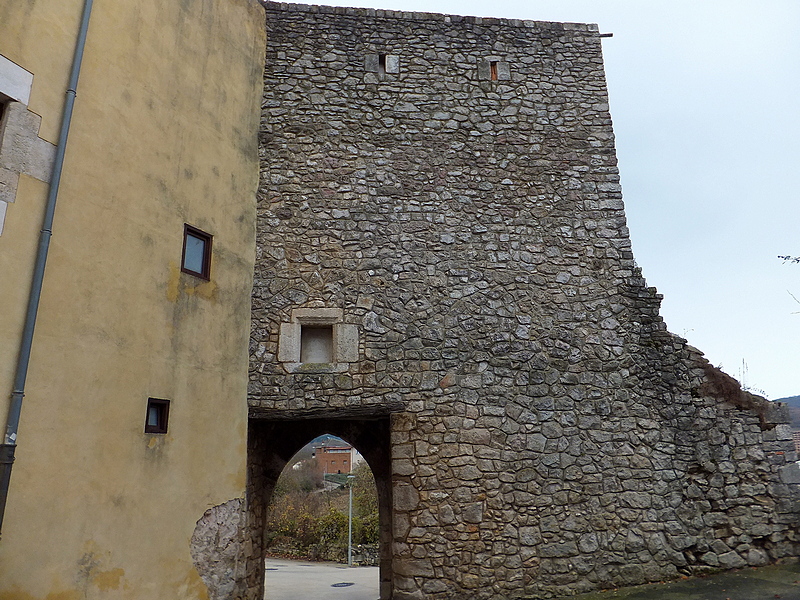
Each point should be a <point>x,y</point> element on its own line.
<point>9,444</point>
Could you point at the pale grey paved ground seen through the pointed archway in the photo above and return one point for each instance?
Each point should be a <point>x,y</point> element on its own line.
<point>295,580</point>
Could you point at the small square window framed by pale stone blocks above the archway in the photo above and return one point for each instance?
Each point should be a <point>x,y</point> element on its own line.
<point>317,340</point>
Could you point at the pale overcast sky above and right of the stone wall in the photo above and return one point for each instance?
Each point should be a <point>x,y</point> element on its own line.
<point>705,97</point>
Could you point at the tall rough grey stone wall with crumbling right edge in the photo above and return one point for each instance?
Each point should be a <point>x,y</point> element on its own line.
<point>450,184</point>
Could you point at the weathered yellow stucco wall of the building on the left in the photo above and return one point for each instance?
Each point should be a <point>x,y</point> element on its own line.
<point>163,133</point>
